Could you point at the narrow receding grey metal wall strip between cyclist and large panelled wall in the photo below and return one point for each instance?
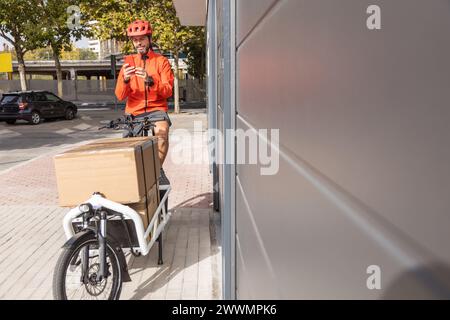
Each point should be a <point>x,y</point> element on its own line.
<point>221,91</point>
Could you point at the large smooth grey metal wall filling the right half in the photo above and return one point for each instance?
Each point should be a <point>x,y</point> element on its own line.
<point>364,173</point>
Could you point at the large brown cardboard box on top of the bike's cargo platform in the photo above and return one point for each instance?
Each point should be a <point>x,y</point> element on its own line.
<point>123,170</point>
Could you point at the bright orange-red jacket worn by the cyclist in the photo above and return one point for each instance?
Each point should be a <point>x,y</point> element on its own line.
<point>159,68</point>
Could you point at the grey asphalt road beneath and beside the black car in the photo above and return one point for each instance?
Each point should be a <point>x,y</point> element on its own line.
<point>22,142</point>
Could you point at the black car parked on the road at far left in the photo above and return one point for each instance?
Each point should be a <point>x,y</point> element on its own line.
<point>34,106</point>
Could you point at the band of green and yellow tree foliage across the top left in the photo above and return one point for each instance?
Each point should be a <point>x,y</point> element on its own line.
<point>32,24</point>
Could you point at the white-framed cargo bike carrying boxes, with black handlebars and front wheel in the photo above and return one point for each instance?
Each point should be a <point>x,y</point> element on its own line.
<point>92,264</point>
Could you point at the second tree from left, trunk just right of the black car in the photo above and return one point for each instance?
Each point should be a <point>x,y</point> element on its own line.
<point>60,22</point>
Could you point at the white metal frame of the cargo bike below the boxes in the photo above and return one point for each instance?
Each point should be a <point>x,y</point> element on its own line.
<point>97,202</point>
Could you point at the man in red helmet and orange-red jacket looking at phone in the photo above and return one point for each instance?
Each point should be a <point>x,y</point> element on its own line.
<point>146,79</point>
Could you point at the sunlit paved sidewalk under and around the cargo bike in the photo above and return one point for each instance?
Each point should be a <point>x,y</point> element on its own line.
<point>31,235</point>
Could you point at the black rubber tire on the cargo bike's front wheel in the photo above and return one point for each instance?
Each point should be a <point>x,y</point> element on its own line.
<point>66,256</point>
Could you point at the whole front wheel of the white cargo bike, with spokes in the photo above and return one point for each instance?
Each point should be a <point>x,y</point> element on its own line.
<point>71,282</point>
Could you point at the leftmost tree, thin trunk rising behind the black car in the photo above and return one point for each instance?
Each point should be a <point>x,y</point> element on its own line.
<point>18,26</point>
